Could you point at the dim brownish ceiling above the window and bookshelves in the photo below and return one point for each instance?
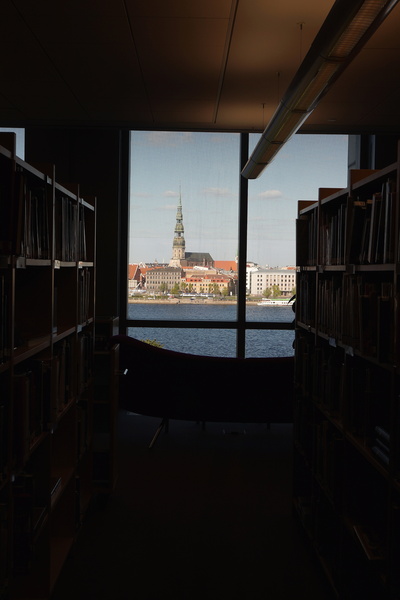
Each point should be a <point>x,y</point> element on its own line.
<point>183,64</point>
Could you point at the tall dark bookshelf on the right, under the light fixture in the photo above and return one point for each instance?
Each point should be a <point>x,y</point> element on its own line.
<point>347,407</point>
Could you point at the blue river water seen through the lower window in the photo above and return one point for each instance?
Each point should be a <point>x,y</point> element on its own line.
<point>214,342</point>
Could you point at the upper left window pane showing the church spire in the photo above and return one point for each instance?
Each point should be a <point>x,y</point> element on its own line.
<point>183,223</point>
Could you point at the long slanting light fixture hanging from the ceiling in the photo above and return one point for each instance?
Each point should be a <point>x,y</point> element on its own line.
<point>346,29</point>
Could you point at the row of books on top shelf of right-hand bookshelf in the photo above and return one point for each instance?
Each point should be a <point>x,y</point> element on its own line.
<point>356,231</point>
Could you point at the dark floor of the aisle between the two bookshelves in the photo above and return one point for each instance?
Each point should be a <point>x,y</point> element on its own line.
<point>203,515</point>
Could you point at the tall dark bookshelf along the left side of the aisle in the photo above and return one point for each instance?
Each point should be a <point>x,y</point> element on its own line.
<point>47,306</point>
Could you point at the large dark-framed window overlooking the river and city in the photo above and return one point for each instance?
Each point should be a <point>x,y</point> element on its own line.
<point>192,225</point>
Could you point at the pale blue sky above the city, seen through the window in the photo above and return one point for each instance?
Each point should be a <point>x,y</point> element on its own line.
<point>203,168</point>
